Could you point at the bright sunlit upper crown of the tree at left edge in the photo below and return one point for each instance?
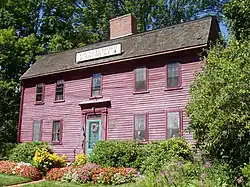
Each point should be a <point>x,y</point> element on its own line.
<point>16,54</point>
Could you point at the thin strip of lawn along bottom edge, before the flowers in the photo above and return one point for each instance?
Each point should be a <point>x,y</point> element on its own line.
<point>61,184</point>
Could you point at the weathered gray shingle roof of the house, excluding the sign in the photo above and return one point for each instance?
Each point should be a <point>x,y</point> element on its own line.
<point>181,36</point>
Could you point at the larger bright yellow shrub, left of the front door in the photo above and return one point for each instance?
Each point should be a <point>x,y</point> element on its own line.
<point>45,160</point>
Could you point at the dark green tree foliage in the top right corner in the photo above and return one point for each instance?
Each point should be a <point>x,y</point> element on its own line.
<point>237,14</point>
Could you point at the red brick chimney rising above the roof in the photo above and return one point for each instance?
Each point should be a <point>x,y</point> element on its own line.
<point>123,26</point>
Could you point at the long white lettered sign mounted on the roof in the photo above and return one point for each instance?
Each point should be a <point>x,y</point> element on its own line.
<point>99,53</point>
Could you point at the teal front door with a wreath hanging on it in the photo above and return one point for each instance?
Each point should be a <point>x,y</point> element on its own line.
<point>93,134</point>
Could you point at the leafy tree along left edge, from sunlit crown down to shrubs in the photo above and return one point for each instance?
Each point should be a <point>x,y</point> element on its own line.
<point>15,57</point>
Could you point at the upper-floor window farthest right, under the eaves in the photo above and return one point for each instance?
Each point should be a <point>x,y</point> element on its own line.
<point>173,75</point>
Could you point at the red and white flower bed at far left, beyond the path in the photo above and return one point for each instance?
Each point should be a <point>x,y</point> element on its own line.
<point>20,169</point>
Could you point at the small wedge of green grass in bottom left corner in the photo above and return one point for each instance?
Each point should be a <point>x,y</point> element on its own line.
<point>6,180</point>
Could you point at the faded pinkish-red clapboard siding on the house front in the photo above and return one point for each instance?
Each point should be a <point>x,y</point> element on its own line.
<point>118,86</point>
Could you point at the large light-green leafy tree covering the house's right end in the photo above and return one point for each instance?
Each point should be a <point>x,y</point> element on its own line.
<point>219,106</point>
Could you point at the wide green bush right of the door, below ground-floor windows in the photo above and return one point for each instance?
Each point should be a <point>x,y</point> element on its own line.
<point>117,153</point>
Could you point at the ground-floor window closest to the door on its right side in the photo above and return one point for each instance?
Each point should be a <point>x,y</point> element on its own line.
<point>140,127</point>
